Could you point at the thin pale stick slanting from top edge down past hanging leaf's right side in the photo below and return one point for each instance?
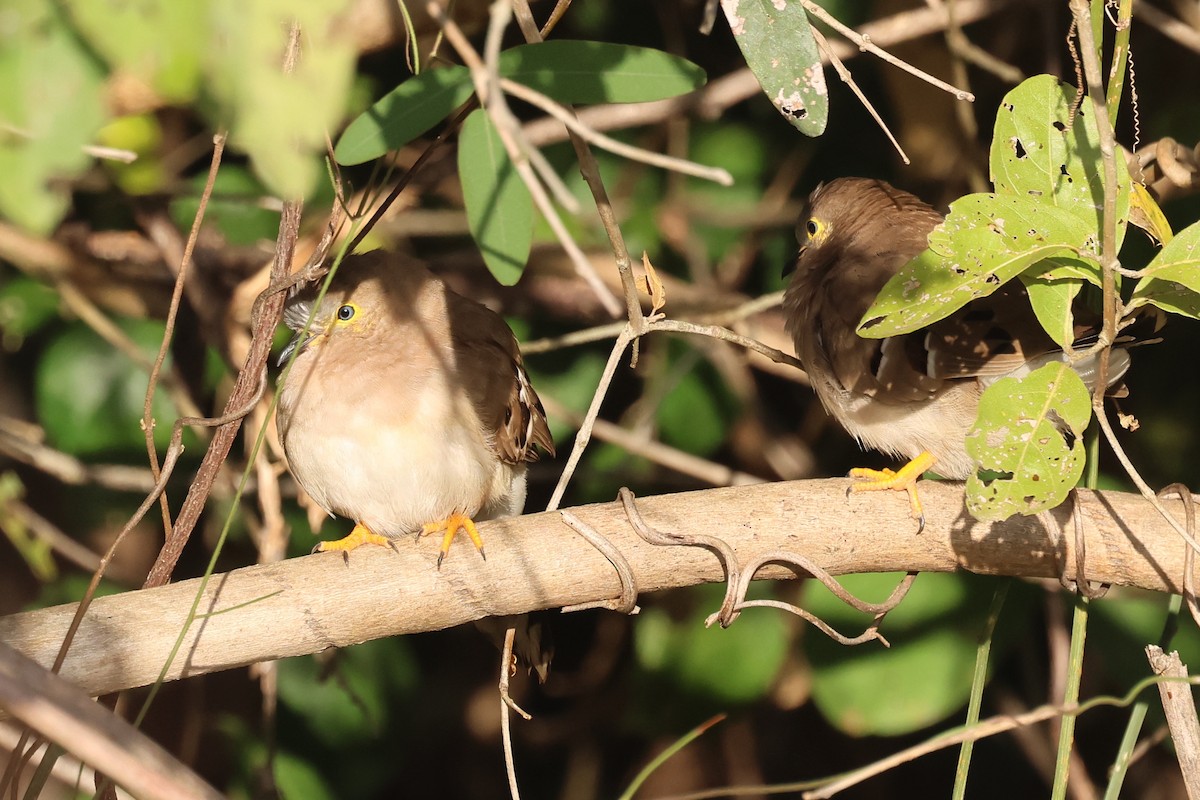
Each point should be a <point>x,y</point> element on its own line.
<point>508,130</point>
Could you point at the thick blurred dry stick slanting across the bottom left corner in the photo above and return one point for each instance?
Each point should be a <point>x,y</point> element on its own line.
<point>62,713</point>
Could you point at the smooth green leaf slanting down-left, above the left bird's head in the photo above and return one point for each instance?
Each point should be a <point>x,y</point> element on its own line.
<point>405,113</point>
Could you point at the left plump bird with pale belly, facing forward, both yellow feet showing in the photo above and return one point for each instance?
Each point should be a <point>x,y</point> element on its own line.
<point>407,408</point>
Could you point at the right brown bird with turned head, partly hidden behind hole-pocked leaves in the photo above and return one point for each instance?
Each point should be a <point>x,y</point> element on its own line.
<point>914,396</point>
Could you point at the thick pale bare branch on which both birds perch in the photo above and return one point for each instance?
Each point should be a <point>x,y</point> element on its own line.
<point>311,604</point>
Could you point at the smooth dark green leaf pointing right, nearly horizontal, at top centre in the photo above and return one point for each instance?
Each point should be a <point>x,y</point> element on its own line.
<point>574,71</point>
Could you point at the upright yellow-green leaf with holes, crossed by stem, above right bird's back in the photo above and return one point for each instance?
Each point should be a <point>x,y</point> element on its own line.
<point>1041,151</point>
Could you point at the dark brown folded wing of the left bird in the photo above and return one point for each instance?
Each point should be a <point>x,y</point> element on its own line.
<point>499,387</point>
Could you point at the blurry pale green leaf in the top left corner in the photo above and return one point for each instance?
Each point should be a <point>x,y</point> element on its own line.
<point>52,106</point>
